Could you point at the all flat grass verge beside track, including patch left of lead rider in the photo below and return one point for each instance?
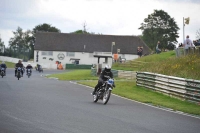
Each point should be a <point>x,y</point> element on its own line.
<point>129,90</point>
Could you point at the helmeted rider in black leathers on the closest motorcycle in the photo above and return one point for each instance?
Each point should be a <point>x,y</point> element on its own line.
<point>103,77</point>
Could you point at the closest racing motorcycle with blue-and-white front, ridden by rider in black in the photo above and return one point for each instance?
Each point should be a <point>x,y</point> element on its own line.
<point>104,92</point>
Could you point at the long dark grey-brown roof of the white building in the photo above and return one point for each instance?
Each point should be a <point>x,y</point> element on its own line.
<point>49,41</point>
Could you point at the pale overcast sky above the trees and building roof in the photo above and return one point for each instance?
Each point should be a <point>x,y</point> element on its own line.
<point>110,17</point>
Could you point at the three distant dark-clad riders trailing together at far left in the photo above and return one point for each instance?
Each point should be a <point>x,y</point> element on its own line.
<point>17,65</point>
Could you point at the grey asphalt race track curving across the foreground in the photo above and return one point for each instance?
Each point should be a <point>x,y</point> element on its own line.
<point>41,105</point>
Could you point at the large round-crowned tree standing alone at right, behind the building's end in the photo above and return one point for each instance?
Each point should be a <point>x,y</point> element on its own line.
<point>159,26</point>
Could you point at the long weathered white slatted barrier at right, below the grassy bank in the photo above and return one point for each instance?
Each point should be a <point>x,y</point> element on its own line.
<point>186,89</point>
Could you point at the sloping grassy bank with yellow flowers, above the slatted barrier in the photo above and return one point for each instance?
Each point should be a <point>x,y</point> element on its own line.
<point>165,63</point>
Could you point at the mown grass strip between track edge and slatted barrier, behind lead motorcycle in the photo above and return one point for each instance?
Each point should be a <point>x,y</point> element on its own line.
<point>129,90</point>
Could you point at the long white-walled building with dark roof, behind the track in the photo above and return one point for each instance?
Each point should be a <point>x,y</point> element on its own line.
<point>84,48</point>
